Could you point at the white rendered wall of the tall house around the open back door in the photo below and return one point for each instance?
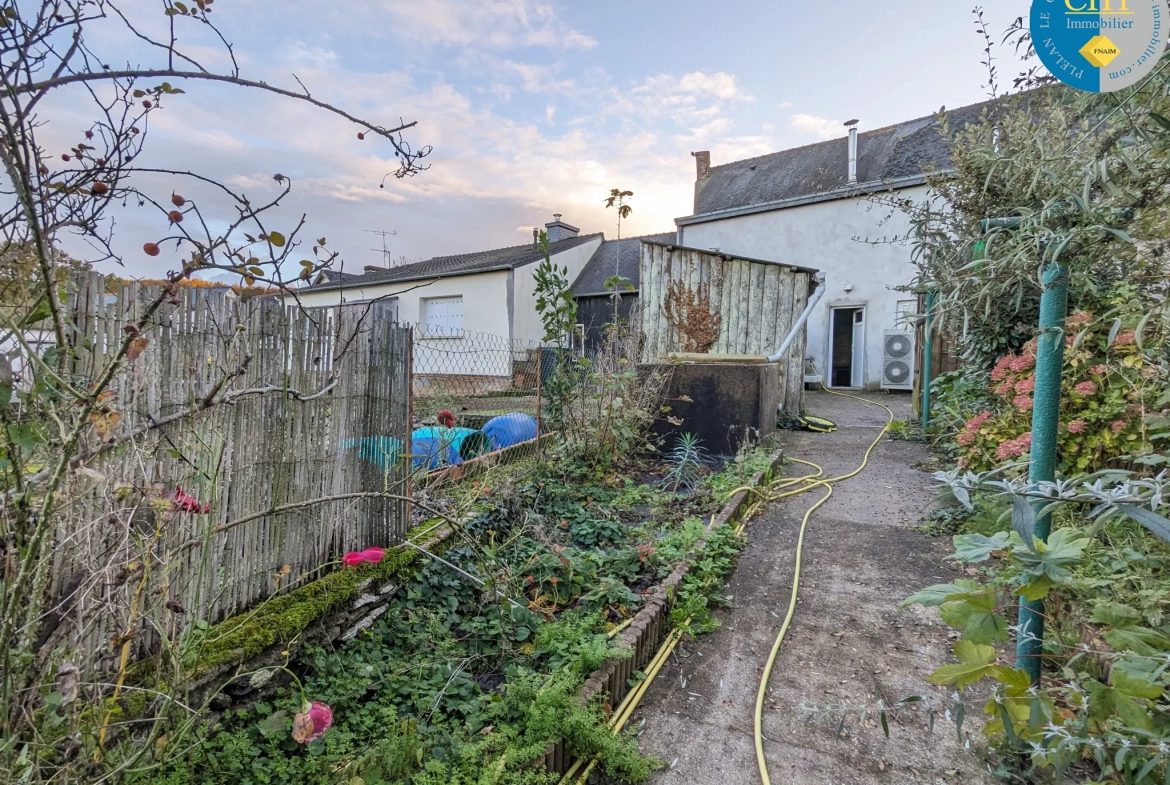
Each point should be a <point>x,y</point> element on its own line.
<point>829,237</point>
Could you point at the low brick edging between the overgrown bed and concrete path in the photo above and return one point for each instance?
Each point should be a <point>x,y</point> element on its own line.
<point>651,625</point>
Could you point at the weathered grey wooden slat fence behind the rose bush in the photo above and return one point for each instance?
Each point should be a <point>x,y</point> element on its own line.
<point>305,404</point>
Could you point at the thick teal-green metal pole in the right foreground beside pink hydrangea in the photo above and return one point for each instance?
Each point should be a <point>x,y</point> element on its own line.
<point>1050,362</point>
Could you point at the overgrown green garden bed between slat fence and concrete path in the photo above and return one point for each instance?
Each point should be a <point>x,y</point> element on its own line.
<point>478,665</point>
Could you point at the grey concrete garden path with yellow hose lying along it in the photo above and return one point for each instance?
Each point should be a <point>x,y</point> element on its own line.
<point>849,645</point>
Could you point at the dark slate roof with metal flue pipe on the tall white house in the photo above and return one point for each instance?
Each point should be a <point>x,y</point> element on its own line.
<point>890,156</point>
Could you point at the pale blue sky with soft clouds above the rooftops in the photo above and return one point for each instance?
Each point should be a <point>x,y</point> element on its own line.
<point>535,107</point>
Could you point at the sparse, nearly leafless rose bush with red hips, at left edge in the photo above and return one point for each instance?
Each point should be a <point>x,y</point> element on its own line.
<point>60,414</point>
